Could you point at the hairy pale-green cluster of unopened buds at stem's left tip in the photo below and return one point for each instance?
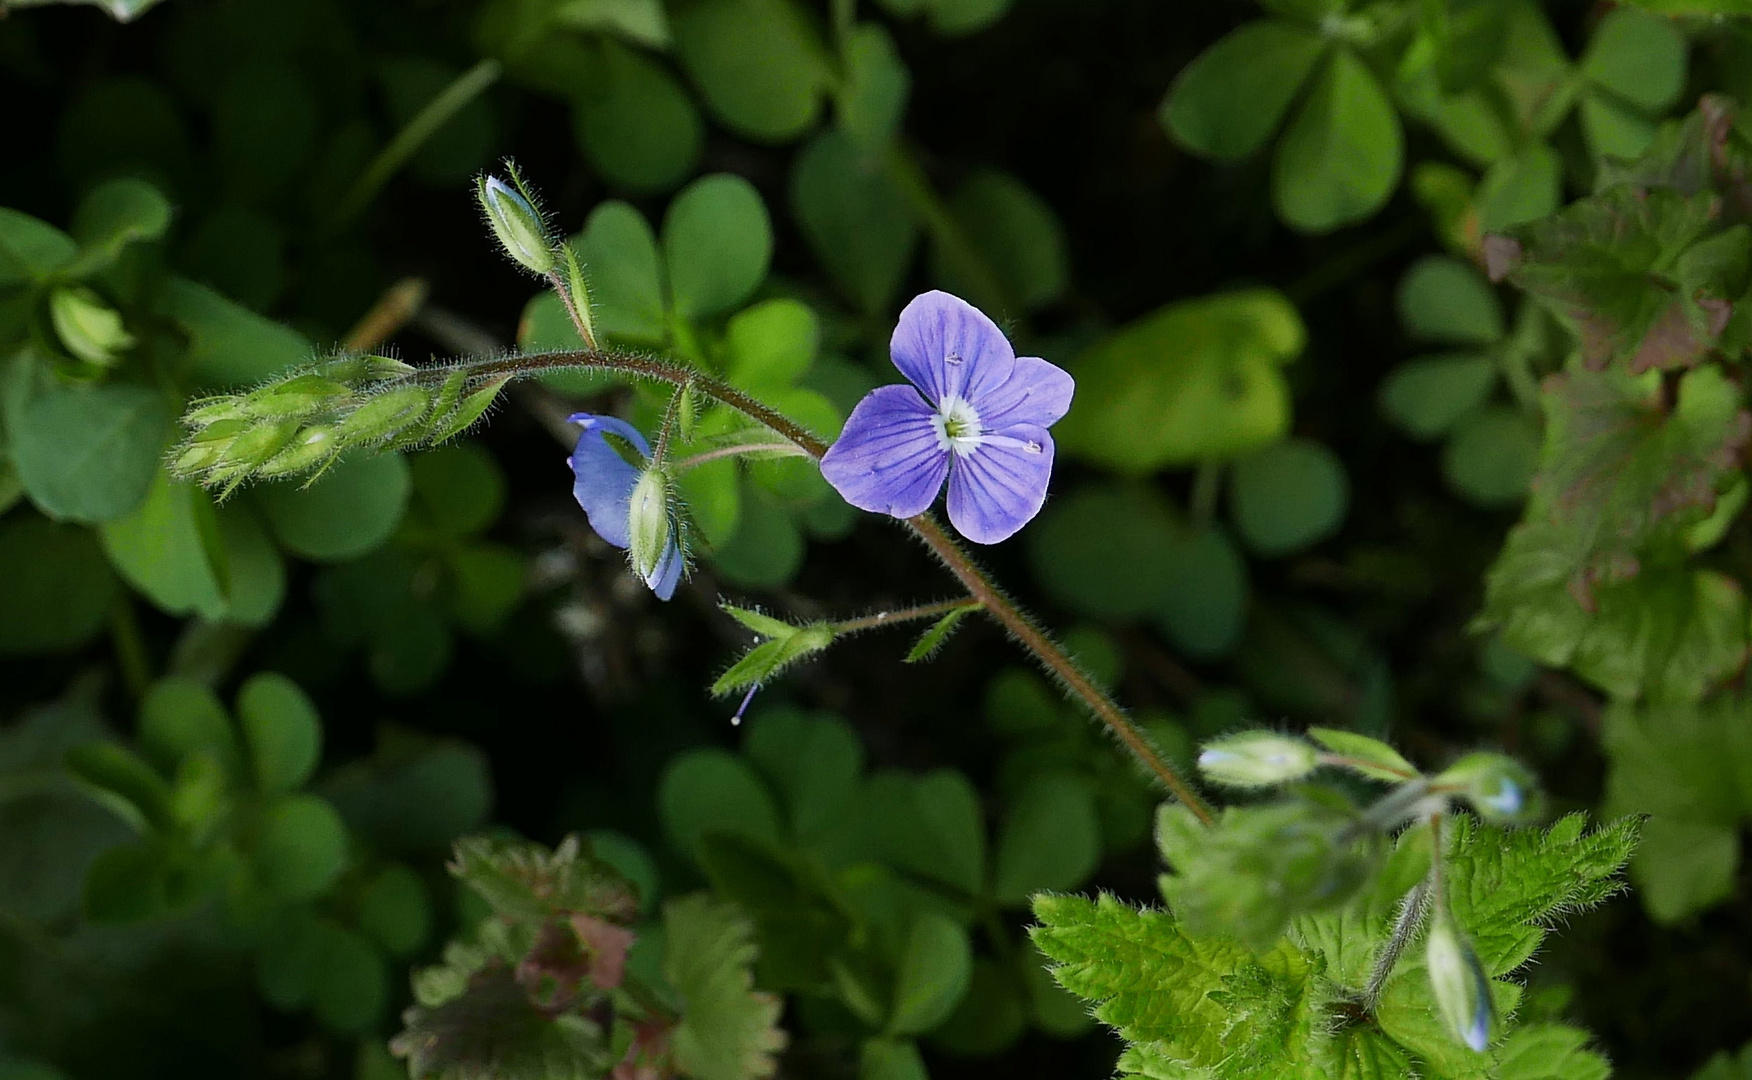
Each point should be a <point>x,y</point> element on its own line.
<point>306,422</point>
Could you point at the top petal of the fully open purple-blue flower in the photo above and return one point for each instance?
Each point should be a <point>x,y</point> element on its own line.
<point>950,350</point>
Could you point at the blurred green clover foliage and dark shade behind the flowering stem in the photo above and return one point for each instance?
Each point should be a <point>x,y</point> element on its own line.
<point>239,739</point>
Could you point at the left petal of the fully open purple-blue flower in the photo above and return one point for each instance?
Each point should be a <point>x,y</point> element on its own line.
<point>889,458</point>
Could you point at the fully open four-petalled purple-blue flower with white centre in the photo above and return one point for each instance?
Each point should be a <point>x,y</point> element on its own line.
<point>977,415</point>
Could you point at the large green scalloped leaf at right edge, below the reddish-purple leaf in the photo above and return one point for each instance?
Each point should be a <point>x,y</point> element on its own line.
<point>1590,578</point>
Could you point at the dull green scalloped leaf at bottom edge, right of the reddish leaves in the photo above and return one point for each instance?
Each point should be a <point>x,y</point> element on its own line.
<point>728,1032</point>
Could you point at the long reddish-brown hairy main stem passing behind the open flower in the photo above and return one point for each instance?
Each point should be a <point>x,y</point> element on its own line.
<point>980,588</point>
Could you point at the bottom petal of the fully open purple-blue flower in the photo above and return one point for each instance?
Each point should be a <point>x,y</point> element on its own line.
<point>1001,485</point>
